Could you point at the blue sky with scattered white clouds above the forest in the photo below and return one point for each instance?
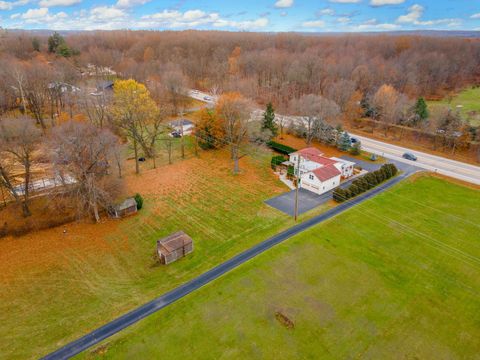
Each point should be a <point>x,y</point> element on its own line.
<point>245,15</point>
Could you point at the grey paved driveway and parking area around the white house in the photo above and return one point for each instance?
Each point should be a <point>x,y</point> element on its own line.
<point>308,200</point>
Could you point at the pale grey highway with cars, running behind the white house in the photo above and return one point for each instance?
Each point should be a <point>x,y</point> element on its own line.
<point>455,169</point>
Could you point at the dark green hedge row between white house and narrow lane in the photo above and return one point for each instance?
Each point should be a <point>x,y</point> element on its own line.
<point>365,183</point>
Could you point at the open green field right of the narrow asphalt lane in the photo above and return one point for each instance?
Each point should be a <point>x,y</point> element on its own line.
<point>397,277</point>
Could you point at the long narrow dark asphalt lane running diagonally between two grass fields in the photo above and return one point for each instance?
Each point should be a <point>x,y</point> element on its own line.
<point>170,297</point>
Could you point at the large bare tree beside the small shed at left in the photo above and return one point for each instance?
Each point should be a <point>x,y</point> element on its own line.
<point>84,152</point>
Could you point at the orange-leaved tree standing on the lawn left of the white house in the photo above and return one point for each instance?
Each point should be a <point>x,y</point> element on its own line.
<point>233,112</point>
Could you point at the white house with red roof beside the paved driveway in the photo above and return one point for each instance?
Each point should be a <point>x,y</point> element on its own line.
<point>319,173</point>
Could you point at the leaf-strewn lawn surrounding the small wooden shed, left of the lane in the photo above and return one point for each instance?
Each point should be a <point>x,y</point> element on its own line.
<point>56,287</point>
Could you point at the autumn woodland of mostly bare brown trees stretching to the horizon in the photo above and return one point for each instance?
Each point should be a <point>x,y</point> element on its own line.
<point>73,102</point>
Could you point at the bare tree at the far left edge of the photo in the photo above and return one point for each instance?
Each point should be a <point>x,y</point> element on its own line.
<point>19,138</point>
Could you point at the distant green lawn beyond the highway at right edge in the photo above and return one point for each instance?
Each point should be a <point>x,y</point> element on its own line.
<point>467,101</point>
